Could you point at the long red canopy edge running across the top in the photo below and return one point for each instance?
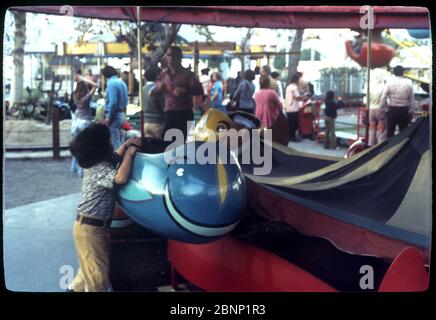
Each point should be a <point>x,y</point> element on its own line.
<point>293,17</point>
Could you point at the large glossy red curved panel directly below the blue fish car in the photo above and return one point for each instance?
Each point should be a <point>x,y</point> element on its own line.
<point>229,264</point>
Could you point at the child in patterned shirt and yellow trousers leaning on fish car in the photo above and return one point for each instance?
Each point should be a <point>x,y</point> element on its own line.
<point>94,152</point>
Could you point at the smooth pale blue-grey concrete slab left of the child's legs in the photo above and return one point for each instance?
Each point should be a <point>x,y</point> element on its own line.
<point>37,242</point>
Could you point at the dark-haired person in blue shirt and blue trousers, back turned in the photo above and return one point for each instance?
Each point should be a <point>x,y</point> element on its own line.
<point>116,103</point>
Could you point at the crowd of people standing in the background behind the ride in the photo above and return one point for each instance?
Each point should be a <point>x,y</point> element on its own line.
<point>172,93</point>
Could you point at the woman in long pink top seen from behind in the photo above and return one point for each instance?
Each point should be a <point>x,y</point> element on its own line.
<point>268,105</point>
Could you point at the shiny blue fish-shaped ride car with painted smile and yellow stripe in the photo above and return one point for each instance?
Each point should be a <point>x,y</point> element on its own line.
<point>175,196</point>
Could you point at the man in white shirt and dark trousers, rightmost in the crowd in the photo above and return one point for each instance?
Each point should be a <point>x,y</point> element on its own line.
<point>399,92</point>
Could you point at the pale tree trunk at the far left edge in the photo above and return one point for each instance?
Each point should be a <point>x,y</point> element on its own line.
<point>18,57</point>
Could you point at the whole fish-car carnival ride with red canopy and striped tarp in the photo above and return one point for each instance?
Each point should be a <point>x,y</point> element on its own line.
<point>363,205</point>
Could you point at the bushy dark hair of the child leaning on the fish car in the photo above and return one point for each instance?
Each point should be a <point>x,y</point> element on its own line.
<point>92,146</point>
